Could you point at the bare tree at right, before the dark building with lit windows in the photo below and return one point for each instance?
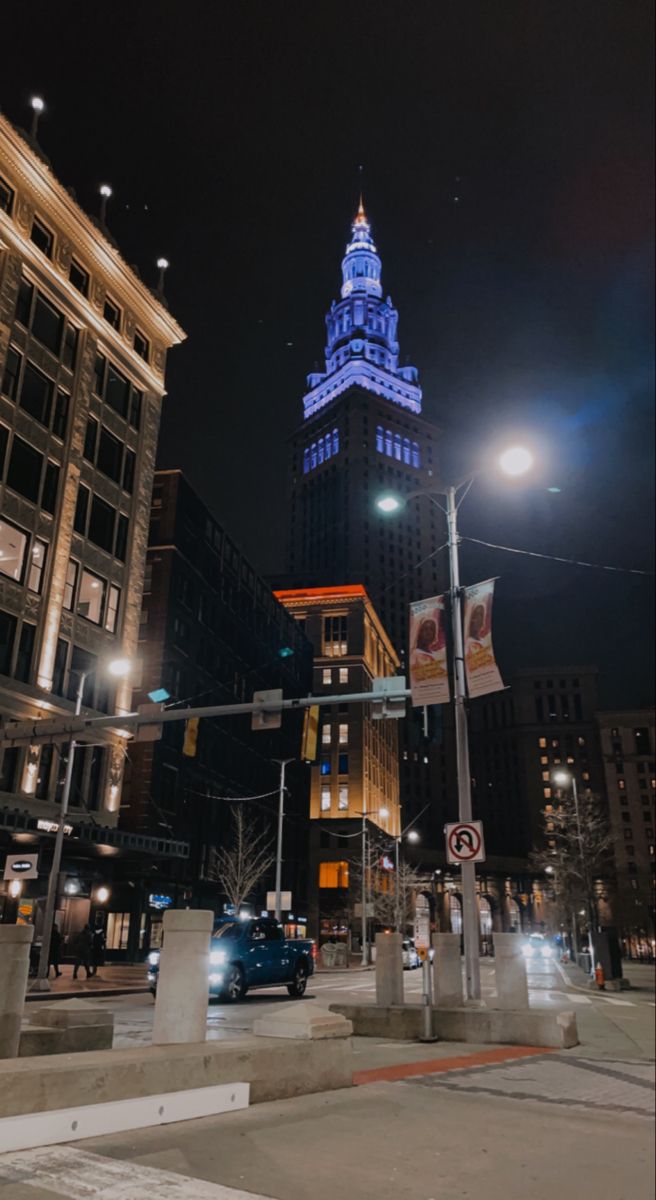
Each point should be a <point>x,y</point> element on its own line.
<point>576,854</point>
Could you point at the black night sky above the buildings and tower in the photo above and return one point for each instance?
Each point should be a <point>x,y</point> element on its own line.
<point>508,172</point>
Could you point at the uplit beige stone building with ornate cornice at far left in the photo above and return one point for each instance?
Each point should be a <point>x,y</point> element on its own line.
<point>83,347</point>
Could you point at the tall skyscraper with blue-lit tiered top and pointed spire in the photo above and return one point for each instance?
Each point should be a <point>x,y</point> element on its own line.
<point>363,433</point>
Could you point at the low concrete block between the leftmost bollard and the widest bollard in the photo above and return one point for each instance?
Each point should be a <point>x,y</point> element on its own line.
<point>67,1027</point>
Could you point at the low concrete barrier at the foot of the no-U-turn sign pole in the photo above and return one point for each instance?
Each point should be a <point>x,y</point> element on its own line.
<point>531,1028</point>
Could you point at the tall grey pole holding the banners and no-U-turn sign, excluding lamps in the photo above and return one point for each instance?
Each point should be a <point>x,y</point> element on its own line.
<point>468,871</point>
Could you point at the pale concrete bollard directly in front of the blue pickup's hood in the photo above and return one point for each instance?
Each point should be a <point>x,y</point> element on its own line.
<point>183,987</point>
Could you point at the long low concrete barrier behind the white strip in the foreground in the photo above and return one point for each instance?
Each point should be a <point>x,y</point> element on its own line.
<point>275,1069</point>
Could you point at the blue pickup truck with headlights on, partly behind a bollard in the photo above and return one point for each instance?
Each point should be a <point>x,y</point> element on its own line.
<point>249,953</point>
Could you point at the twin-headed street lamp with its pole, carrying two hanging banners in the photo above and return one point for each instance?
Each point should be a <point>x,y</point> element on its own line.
<point>514,461</point>
